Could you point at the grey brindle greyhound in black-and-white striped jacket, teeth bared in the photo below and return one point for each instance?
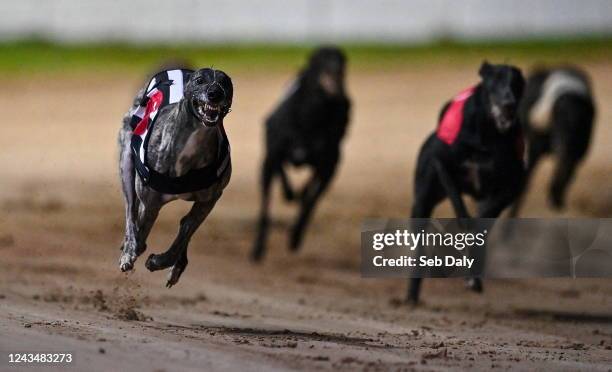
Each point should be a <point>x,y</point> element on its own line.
<point>188,136</point>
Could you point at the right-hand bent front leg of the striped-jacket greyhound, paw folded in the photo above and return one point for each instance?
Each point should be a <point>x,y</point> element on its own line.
<point>176,255</point>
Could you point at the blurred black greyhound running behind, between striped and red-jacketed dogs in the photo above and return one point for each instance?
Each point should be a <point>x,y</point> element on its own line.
<point>305,130</point>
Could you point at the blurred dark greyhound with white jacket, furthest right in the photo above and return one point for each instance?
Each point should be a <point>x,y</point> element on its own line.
<point>557,112</point>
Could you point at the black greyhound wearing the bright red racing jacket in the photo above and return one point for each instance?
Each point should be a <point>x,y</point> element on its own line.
<point>477,150</point>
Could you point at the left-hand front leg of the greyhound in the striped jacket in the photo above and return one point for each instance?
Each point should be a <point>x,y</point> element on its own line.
<point>147,214</point>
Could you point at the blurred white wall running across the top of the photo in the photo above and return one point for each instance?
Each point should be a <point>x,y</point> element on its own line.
<point>300,20</point>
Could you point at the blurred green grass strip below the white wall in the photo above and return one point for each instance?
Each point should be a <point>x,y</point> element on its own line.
<point>26,57</point>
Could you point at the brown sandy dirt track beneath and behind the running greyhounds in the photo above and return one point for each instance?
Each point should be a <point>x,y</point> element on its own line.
<point>61,225</point>
